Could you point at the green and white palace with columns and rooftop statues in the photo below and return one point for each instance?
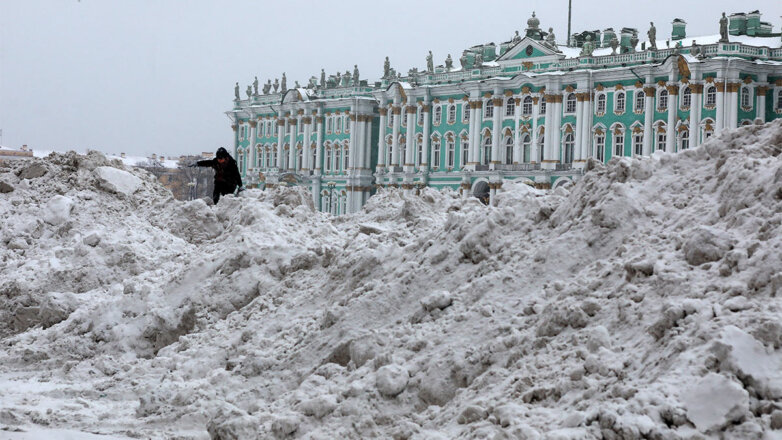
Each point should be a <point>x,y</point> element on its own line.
<point>528,110</point>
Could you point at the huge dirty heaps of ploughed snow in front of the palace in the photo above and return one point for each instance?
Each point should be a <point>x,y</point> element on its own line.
<point>642,302</point>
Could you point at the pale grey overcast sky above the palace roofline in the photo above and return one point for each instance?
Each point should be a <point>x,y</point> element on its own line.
<point>156,76</point>
